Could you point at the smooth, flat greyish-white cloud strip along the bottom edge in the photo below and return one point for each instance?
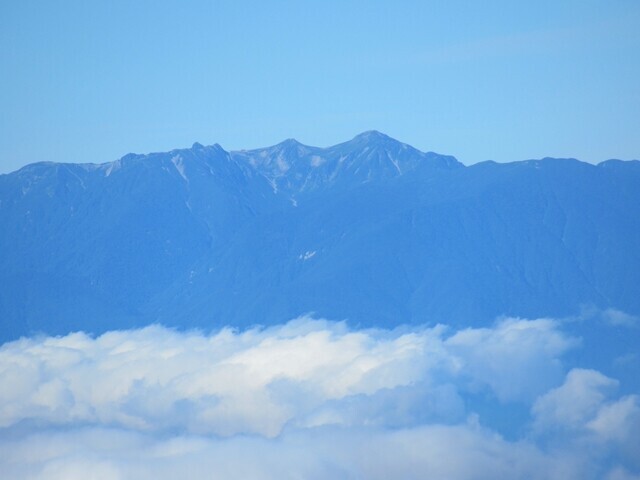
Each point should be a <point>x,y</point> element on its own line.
<point>452,452</point>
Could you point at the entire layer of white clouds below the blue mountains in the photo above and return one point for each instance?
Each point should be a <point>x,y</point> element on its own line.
<point>313,399</point>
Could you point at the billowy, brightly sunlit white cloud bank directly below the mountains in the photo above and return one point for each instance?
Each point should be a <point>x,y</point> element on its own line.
<point>257,381</point>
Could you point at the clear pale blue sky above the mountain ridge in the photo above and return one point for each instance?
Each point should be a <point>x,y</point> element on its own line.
<point>92,81</point>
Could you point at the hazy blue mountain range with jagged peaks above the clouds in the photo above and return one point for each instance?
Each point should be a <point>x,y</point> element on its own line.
<point>370,230</point>
